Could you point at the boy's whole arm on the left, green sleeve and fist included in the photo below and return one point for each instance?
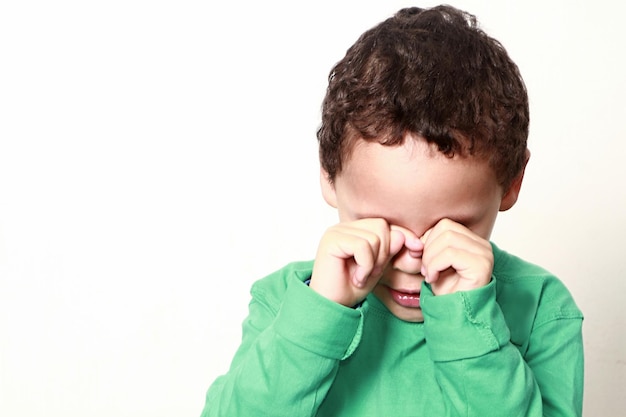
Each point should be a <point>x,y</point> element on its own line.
<point>293,341</point>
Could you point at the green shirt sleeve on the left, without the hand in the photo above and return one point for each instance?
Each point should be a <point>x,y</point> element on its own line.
<point>289,355</point>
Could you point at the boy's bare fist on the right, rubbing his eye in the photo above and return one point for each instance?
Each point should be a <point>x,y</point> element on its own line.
<point>455,258</point>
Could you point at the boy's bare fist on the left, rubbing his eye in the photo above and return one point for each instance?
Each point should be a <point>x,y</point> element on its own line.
<point>352,256</point>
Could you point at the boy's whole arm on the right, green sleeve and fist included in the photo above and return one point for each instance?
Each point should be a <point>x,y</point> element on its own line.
<point>479,370</point>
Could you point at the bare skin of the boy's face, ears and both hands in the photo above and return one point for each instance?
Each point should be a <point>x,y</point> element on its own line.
<point>408,214</point>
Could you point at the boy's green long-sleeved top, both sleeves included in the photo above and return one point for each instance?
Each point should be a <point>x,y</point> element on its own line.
<point>511,348</point>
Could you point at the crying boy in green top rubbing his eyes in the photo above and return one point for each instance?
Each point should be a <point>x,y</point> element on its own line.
<point>408,309</point>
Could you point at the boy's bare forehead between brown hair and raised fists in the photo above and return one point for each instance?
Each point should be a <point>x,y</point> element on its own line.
<point>414,185</point>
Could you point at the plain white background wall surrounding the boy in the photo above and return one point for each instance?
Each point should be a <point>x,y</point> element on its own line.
<point>157,157</point>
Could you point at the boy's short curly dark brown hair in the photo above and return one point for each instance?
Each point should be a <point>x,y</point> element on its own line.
<point>434,73</point>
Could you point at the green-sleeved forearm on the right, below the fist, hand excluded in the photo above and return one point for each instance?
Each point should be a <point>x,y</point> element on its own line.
<point>479,371</point>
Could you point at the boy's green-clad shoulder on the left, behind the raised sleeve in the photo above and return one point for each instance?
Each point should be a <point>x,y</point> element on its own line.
<point>271,288</point>
